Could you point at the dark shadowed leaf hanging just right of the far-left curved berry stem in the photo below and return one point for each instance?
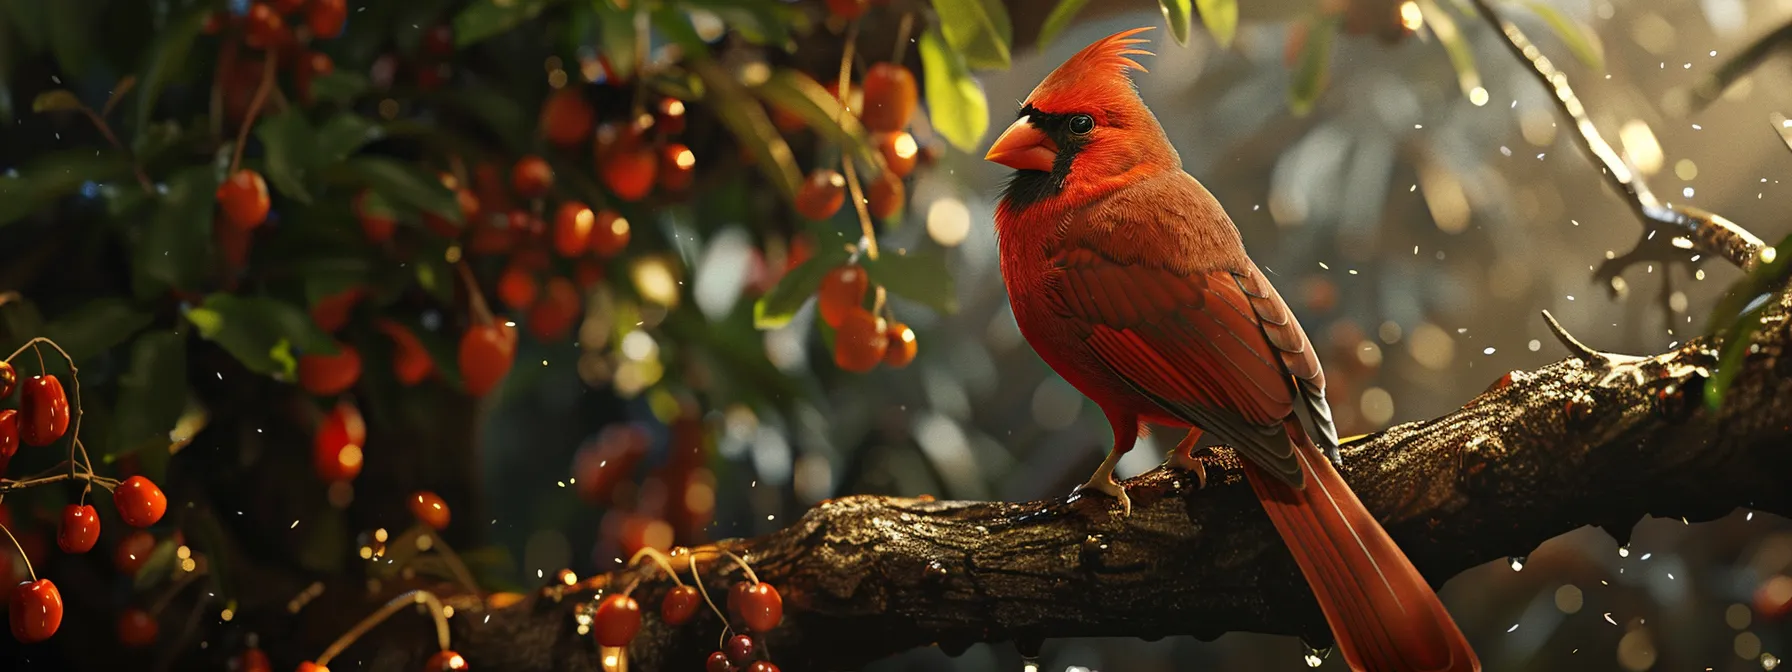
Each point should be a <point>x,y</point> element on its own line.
<point>151,399</point>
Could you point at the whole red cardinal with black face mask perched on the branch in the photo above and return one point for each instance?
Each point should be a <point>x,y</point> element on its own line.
<point>1132,282</point>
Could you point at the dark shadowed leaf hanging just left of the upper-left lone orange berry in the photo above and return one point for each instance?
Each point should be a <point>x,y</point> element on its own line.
<point>177,245</point>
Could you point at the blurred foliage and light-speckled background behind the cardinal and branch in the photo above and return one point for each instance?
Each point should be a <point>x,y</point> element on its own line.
<point>1406,182</point>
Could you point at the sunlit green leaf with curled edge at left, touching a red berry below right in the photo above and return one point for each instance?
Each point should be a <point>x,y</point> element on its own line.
<point>261,332</point>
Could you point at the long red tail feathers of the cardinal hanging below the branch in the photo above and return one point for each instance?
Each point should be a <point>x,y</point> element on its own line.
<point>1383,614</point>
